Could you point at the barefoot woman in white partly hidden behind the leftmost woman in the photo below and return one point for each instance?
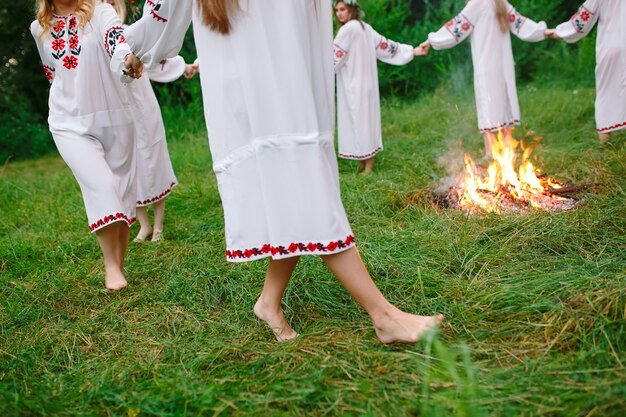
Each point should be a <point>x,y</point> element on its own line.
<point>155,175</point>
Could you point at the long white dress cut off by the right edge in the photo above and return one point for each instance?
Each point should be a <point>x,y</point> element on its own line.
<point>610,57</point>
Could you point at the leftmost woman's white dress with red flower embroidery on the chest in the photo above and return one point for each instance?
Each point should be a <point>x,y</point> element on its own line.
<point>89,111</point>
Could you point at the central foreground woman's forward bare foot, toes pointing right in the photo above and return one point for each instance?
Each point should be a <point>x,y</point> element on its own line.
<point>399,326</point>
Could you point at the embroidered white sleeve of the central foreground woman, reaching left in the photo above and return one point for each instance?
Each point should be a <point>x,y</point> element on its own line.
<point>160,32</point>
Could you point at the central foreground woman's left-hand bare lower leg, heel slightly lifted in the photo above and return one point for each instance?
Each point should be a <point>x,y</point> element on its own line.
<point>268,306</point>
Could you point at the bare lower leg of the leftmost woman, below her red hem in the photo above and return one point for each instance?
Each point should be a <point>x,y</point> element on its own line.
<point>109,239</point>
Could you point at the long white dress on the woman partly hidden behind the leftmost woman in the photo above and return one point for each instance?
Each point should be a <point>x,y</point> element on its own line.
<point>155,175</point>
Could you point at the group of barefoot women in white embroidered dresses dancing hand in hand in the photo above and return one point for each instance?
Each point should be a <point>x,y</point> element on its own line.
<point>268,84</point>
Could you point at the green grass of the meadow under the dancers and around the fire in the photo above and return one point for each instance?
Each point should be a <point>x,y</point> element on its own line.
<point>535,305</point>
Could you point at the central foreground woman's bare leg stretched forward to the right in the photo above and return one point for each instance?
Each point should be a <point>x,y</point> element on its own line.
<point>390,323</point>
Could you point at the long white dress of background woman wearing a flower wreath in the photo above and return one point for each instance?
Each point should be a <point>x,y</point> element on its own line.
<point>357,46</point>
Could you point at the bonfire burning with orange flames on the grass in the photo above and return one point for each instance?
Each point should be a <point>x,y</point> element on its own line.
<point>509,183</point>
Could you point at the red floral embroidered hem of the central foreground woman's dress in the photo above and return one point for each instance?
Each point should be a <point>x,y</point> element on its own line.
<point>293,249</point>
